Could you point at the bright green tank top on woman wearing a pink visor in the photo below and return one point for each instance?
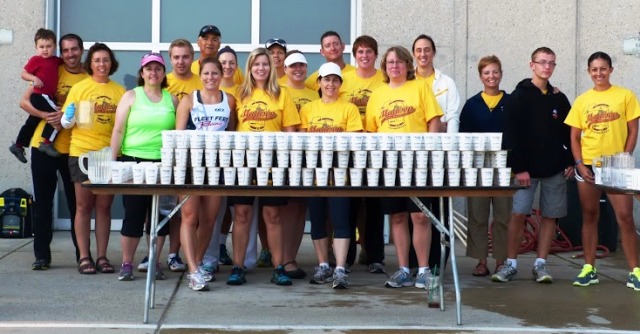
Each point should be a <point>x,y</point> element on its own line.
<point>143,132</point>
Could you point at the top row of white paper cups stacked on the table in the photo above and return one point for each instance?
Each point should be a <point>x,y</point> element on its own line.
<point>332,141</point>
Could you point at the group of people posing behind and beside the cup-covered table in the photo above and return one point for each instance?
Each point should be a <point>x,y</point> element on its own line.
<point>549,141</point>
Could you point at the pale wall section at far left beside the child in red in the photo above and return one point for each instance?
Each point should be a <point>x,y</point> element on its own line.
<point>23,18</point>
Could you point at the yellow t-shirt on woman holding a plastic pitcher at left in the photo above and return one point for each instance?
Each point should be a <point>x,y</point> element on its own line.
<point>105,98</point>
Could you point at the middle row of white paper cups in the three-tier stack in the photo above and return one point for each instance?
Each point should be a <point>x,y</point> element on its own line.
<point>196,157</point>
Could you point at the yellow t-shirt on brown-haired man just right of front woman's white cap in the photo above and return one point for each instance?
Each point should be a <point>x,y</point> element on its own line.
<point>357,90</point>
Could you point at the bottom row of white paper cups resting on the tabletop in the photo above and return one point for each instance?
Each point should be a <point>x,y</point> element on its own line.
<point>373,177</point>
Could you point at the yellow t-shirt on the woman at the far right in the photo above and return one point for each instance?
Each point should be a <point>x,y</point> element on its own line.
<point>602,116</point>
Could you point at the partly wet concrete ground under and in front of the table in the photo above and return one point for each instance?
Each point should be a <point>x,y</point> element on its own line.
<point>62,301</point>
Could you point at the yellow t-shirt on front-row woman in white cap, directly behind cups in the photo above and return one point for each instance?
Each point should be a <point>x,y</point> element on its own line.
<point>338,116</point>
